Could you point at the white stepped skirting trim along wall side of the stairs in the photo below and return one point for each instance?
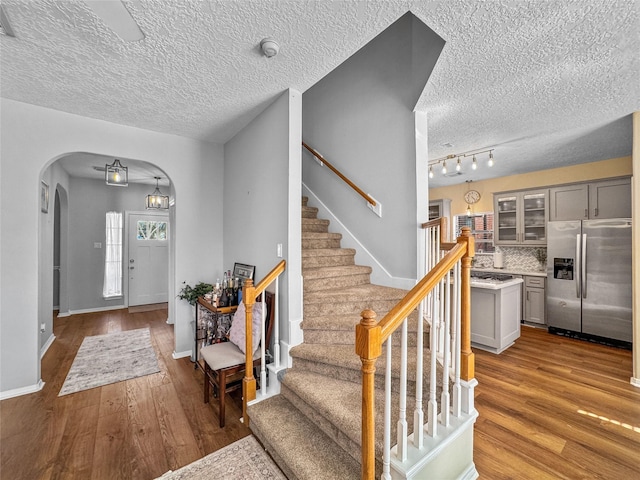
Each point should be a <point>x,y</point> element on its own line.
<point>379,274</point>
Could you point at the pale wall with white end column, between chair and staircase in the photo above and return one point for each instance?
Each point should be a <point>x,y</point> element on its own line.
<point>262,199</point>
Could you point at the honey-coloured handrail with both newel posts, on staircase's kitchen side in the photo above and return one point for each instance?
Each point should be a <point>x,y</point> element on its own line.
<point>371,335</point>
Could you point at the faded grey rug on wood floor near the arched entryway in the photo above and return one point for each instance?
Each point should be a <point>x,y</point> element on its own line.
<point>111,358</point>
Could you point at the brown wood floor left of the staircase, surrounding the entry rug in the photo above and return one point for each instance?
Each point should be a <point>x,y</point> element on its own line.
<point>137,429</point>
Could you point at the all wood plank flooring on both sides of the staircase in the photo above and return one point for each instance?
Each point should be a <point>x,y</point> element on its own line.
<point>550,407</point>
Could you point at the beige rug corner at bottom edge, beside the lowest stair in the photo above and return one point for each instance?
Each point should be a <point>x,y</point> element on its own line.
<point>242,460</point>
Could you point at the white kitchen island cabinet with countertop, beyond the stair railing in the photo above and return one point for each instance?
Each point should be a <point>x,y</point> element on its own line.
<point>496,312</point>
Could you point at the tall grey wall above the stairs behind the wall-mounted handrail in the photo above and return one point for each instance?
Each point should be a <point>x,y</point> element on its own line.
<point>360,117</point>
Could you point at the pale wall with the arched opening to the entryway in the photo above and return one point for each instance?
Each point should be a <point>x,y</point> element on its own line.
<point>32,138</point>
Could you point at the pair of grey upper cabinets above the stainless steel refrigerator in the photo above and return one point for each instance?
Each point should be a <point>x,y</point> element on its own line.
<point>603,199</point>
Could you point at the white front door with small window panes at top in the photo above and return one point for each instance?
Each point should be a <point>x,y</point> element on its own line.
<point>148,258</point>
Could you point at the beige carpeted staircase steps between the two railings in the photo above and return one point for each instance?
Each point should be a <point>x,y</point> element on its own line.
<point>313,428</point>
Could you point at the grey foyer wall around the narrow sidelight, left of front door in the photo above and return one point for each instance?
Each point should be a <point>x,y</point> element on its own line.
<point>89,201</point>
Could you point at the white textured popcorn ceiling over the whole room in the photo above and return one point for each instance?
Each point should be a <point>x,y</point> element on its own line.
<point>545,83</point>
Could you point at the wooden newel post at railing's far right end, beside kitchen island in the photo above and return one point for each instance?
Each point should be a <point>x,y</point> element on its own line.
<point>467,367</point>
